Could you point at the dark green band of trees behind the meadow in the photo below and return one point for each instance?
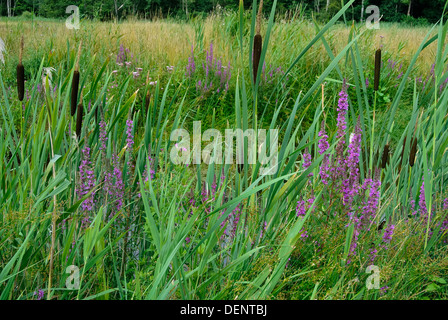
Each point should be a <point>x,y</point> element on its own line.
<point>410,11</point>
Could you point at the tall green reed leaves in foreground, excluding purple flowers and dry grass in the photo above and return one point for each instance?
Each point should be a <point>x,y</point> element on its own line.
<point>159,245</point>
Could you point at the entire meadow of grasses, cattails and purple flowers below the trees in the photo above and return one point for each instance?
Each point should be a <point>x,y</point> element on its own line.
<point>356,206</point>
